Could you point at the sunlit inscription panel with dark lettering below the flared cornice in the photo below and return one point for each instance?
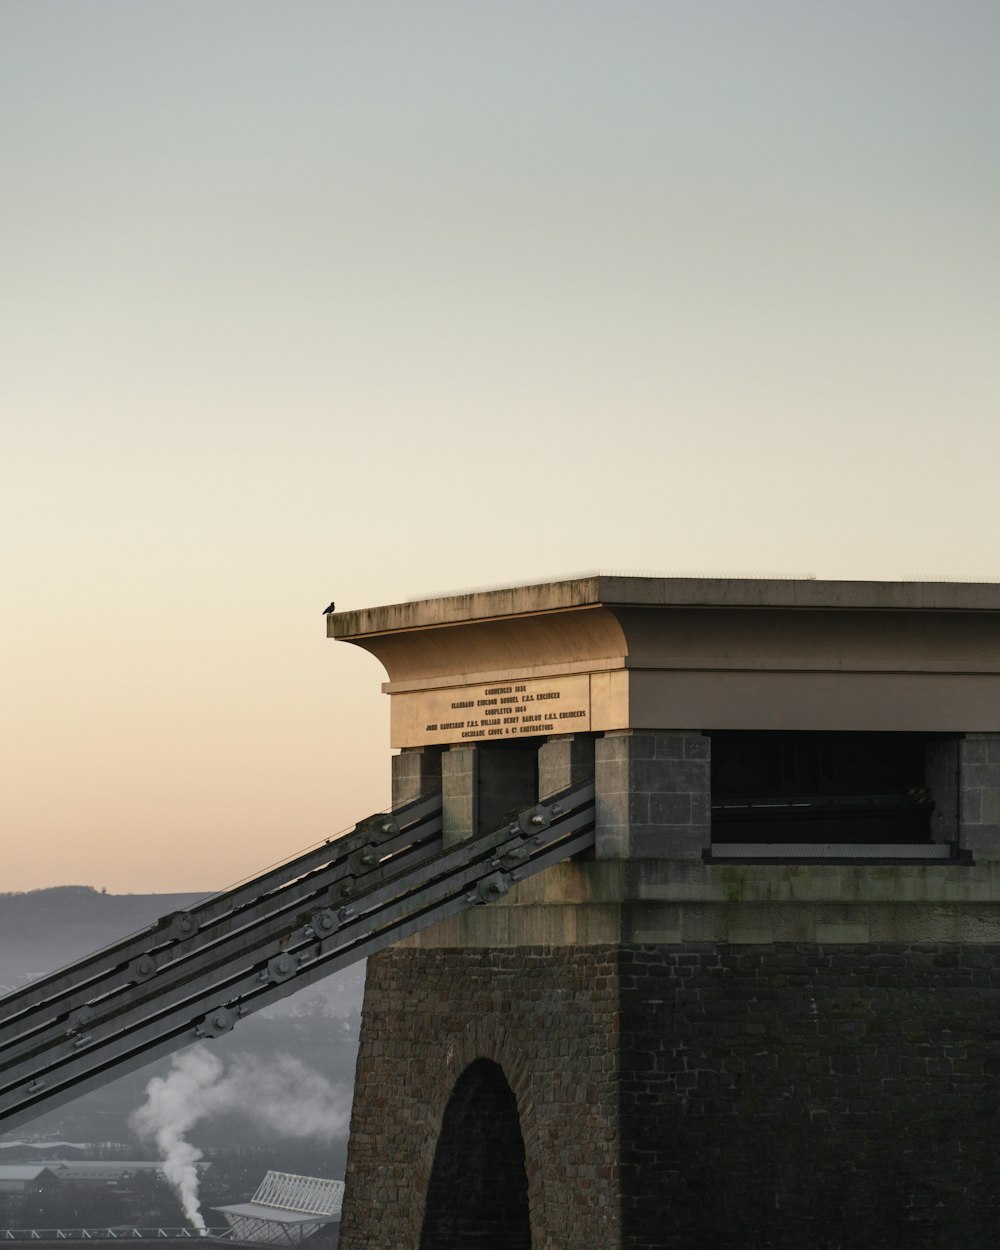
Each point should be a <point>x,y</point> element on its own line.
<point>492,712</point>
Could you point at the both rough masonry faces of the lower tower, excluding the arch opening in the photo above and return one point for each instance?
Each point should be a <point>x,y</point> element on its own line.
<point>743,1098</point>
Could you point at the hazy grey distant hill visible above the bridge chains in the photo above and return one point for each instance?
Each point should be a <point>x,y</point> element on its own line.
<point>42,931</point>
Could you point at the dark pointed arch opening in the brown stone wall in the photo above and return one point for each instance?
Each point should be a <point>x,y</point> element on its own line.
<point>478,1192</point>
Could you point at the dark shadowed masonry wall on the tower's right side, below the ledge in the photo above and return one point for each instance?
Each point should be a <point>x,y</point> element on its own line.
<point>811,1098</point>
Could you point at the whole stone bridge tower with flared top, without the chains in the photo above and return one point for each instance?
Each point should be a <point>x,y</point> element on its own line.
<point>767,1012</point>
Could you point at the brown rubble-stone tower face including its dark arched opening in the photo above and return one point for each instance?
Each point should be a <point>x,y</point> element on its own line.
<point>487,1083</point>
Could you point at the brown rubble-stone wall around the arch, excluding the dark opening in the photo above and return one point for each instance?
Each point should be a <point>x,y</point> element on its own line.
<point>549,1018</point>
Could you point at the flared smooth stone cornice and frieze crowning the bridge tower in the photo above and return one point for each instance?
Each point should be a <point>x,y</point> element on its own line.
<point>709,653</point>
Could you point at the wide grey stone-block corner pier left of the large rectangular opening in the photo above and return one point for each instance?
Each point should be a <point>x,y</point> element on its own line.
<point>654,794</point>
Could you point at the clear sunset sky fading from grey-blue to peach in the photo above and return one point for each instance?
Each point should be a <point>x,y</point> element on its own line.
<point>308,301</point>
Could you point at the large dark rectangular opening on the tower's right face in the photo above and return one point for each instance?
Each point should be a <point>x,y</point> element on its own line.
<point>817,787</point>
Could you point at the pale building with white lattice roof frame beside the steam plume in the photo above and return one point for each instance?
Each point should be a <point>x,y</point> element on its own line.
<point>286,1211</point>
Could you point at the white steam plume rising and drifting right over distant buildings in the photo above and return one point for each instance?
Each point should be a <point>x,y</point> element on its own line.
<point>281,1094</point>
